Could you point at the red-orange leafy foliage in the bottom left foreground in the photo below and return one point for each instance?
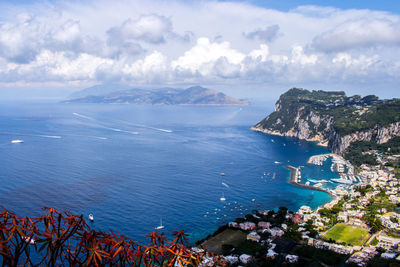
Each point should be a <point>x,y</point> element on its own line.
<point>63,239</point>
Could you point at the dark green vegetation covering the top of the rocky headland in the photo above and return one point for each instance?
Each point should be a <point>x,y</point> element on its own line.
<point>349,114</point>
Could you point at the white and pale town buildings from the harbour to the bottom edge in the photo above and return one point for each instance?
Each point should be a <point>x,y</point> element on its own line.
<point>351,206</point>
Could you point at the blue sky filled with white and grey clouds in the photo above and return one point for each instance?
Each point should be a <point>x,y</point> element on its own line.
<point>255,48</point>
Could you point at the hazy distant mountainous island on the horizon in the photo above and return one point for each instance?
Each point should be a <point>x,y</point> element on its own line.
<point>117,94</point>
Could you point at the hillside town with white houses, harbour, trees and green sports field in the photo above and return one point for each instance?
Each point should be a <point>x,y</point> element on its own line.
<point>359,227</point>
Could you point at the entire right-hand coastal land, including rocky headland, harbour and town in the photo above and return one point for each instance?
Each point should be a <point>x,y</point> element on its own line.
<point>361,225</point>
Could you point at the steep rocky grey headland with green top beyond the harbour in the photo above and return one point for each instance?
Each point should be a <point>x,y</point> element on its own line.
<point>332,119</point>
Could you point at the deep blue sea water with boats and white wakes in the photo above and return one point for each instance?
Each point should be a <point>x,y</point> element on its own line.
<point>133,165</point>
